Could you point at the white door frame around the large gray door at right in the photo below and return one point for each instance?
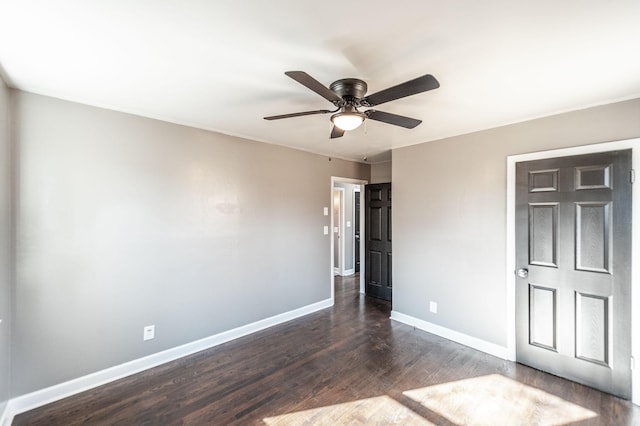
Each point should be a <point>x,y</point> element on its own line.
<point>634,145</point>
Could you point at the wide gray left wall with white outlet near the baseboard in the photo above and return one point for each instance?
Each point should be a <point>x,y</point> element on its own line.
<point>124,221</point>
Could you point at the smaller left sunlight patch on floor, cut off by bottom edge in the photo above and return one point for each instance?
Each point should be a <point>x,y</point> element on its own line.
<point>377,410</point>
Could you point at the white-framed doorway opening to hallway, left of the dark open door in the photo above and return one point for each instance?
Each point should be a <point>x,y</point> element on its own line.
<point>347,219</point>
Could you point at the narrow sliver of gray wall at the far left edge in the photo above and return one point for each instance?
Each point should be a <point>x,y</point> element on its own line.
<point>5,245</point>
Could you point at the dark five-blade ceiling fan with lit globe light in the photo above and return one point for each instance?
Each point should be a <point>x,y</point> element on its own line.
<point>348,94</point>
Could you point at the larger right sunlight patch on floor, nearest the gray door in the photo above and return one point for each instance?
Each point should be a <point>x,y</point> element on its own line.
<point>495,400</point>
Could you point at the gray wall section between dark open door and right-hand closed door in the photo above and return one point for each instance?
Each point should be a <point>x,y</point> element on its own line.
<point>449,214</point>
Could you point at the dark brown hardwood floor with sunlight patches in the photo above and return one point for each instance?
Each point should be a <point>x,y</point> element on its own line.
<point>348,364</point>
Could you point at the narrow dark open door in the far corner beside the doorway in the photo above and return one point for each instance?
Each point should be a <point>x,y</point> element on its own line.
<point>378,240</point>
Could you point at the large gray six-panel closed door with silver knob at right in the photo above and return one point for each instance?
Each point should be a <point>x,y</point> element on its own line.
<point>573,251</point>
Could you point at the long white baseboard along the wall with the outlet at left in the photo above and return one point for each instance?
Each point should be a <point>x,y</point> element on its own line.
<point>41,397</point>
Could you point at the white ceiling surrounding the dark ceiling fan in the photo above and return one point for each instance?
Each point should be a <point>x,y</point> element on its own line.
<point>219,65</point>
